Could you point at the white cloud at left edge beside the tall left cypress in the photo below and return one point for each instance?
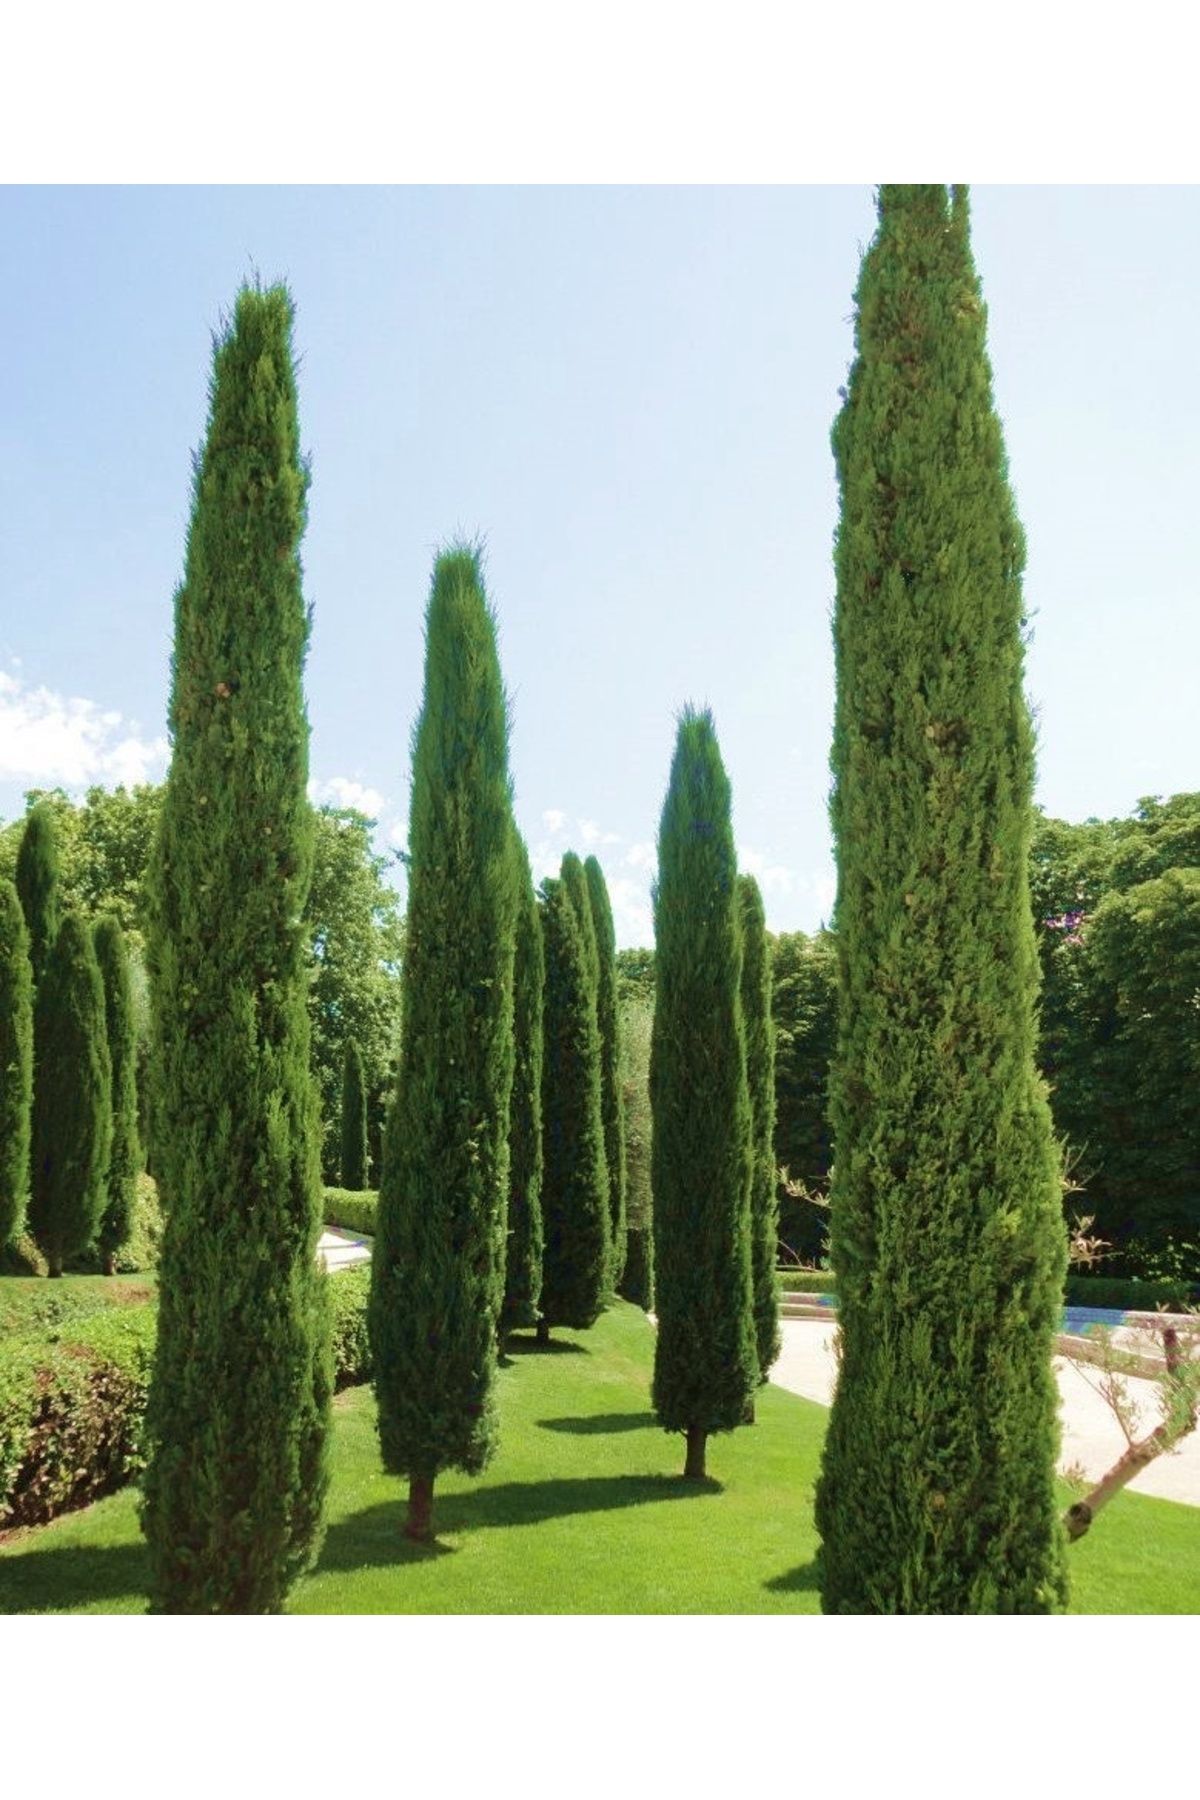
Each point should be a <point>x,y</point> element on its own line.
<point>55,741</point>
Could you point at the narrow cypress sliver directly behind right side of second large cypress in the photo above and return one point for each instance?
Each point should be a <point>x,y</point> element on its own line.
<point>523,1277</point>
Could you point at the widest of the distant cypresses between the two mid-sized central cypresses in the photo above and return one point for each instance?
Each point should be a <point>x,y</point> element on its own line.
<point>575,1183</point>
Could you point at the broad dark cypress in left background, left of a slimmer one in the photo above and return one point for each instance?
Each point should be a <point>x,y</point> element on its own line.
<point>73,1101</point>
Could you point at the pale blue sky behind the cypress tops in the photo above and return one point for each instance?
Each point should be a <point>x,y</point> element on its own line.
<point>629,393</point>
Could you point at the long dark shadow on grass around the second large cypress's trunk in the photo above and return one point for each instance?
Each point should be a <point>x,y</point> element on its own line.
<point>375,1538</point>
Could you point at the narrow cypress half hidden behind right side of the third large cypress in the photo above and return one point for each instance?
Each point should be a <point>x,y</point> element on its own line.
<point>762,1083</point>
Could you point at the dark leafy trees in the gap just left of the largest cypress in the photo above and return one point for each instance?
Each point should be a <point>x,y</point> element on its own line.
<point>805,1016</point>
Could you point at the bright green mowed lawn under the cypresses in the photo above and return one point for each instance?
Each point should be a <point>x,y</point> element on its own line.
<point>584,1511</point>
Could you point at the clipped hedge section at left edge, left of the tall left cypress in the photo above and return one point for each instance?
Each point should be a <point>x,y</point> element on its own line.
<point>73,1399</point>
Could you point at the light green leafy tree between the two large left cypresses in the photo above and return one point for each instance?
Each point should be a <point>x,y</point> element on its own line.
<point>355,993</point>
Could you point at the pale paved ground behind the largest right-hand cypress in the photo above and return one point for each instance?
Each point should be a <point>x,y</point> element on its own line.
<point>1091,1435</point>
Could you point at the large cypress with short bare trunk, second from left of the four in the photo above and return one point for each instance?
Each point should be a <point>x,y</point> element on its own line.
<point>438,1266</point>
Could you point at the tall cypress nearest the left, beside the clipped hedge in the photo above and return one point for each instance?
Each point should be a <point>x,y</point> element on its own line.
<point>240,1394</point>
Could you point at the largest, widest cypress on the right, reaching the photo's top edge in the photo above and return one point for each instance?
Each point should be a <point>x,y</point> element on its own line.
<point>938,1479</point>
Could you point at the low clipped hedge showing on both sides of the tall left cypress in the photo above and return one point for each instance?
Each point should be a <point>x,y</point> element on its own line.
<point>73,1394</point>
